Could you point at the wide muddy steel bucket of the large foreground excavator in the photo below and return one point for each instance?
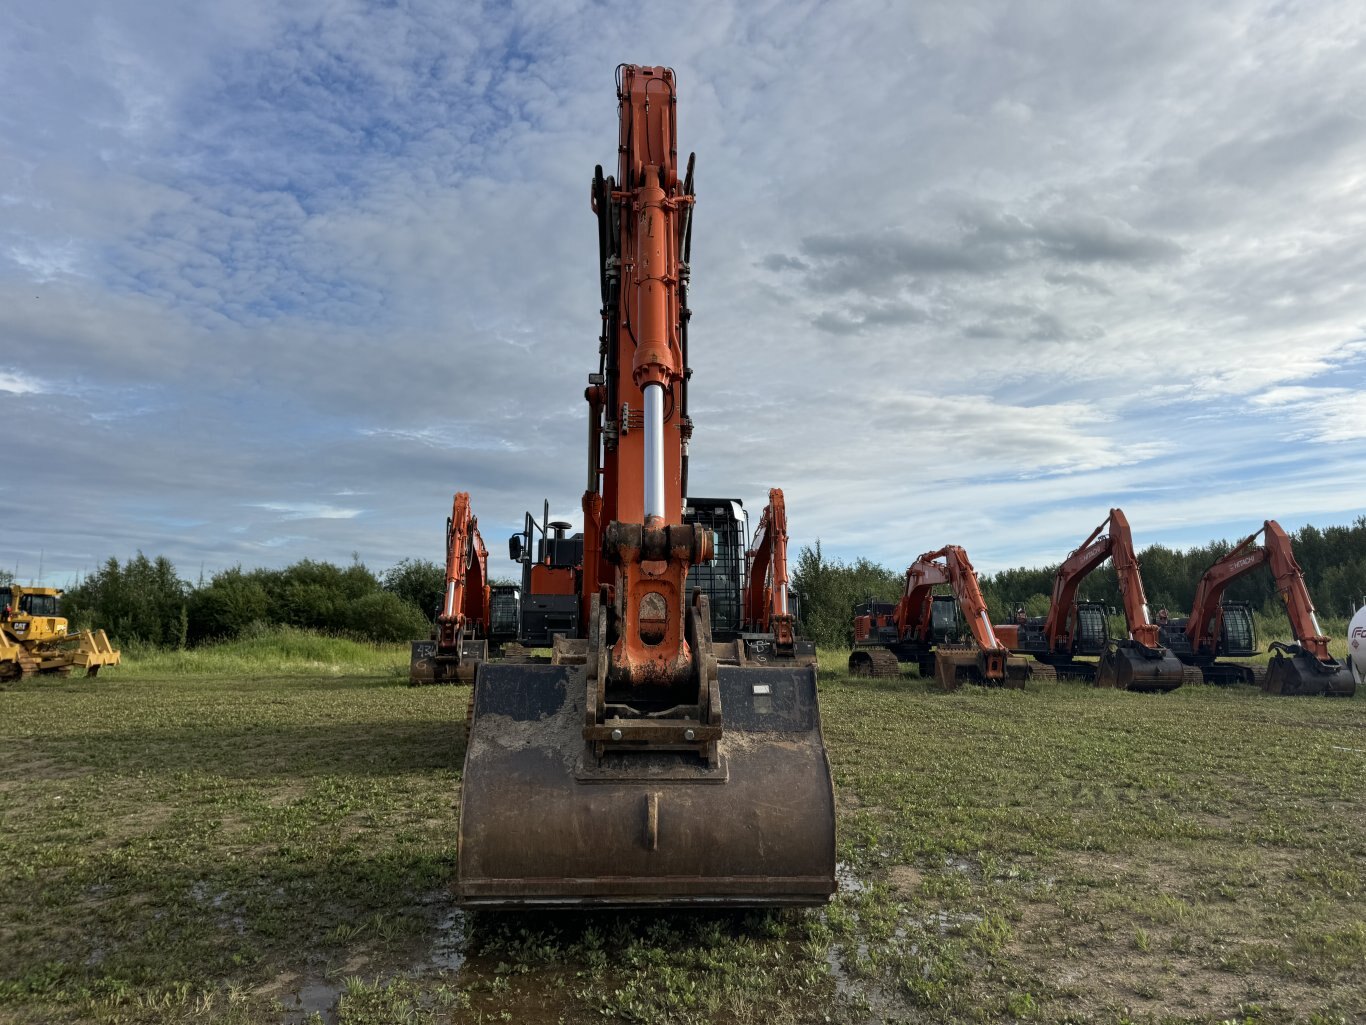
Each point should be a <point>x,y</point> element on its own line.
<point>546,823</point>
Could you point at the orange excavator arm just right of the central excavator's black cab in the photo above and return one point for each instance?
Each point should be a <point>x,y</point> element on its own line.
<point>768,628</point>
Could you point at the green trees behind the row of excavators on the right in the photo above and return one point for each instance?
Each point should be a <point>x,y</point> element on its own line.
<point>1334,561</point>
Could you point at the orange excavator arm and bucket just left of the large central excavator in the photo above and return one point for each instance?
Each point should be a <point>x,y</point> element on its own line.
<point>461,639</point>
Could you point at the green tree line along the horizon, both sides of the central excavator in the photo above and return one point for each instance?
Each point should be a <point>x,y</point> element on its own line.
<point>145,599</point>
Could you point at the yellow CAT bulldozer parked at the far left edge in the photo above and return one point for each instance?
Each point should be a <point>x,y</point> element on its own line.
<point>35,639</point>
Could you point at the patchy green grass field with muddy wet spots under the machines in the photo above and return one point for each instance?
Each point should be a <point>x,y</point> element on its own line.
<point>267,834</point>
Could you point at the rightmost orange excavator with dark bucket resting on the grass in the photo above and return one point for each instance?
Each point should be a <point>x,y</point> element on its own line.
<point>1219,629</point>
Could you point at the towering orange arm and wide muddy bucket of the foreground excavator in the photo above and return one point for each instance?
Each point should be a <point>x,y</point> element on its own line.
<point>635,769</point>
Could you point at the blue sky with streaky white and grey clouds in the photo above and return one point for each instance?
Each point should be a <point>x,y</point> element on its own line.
<point>275,284</point>
